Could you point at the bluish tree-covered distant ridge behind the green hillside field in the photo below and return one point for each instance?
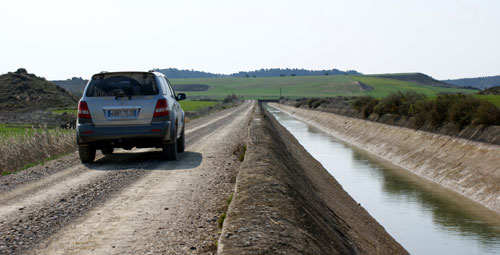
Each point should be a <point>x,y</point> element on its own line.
<point>175,73</point>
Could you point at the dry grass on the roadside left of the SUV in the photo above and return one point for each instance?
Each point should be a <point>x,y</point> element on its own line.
<point>20,150</point>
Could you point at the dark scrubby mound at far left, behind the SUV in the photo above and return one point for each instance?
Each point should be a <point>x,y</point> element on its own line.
<point>22,91</point>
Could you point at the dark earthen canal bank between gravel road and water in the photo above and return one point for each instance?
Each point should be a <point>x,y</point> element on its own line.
<point>285,202</point>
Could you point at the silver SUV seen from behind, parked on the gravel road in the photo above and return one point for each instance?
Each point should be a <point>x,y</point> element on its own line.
<point>127,110</point>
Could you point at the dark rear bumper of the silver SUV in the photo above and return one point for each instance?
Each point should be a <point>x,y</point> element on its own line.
<point>88,133</point>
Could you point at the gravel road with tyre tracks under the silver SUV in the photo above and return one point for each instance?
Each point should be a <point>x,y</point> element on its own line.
<point>130,202</point>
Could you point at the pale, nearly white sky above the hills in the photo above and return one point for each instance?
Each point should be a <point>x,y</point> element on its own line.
<point>60,39</point>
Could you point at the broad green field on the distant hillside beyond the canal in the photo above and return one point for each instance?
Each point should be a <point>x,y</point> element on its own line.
<point>306,86</point>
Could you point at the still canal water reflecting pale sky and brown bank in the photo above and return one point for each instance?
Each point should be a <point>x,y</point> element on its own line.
<point>422,216</point>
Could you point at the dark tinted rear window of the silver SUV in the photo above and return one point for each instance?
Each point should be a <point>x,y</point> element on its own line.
<point>122,84</point>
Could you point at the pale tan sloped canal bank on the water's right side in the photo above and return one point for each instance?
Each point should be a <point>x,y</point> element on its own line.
<point>467,167</point>
